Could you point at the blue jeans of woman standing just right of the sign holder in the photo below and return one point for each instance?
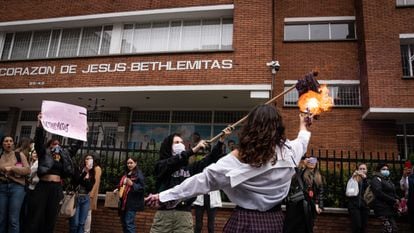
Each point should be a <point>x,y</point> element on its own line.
<point>77,222</point>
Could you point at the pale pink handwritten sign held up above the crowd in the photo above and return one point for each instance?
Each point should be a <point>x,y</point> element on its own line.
<point>64,119</point>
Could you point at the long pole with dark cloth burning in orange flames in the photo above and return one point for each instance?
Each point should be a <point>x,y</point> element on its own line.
<point>310,104</point>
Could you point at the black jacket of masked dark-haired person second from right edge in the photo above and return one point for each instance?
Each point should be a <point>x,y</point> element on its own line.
<point>385,196</point>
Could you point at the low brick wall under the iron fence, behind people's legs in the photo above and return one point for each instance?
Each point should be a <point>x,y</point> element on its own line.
<point>106,220</point>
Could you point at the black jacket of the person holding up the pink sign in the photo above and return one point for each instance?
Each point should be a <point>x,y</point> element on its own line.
<point>46,161</point>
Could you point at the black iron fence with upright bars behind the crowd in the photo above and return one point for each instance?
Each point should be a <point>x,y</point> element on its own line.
<point>336,168</point>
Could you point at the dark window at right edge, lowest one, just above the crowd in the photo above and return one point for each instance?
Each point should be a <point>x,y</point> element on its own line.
<point>405,141</point>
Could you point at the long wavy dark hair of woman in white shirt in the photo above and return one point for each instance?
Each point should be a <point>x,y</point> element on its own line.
<point>260,135</point>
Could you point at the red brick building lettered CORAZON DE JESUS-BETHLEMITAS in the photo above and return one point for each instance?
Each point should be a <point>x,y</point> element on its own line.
<point>148,68</point>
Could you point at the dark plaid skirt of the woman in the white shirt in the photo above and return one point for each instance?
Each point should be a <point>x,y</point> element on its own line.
<point>254,221</point>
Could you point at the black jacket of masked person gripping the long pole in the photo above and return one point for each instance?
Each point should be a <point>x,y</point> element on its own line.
<point>173,170</point>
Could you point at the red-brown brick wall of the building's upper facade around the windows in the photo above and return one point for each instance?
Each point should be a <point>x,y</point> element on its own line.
<point>374,59</point>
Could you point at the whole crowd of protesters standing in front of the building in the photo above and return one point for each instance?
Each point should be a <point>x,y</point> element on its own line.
<point>259,174</point>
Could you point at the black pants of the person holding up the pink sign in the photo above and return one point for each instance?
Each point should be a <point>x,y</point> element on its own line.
<point>43,207</point>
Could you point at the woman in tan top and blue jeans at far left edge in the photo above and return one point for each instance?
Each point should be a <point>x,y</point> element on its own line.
<point>13,169</point>
